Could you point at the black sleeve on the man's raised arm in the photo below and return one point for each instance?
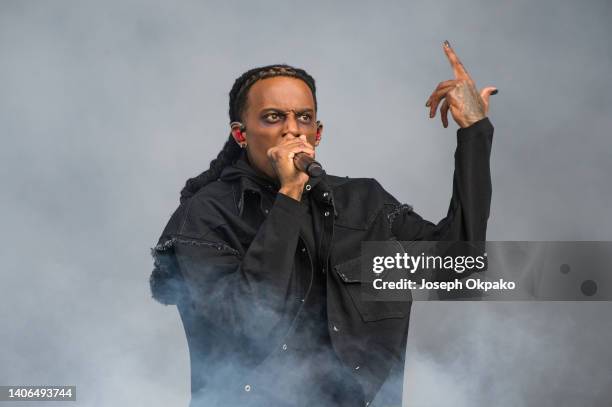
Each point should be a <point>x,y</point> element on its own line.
<point>468,212</point>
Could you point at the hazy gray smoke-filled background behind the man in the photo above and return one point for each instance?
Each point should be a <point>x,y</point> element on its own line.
<point>106,108</point>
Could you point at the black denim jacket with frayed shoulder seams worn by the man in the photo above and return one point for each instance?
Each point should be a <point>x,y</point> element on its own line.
<point>231,258</point>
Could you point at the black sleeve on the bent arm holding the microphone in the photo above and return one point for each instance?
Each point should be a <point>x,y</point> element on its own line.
<point>245,291</point>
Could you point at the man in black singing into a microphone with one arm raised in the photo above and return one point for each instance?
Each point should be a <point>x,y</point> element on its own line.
<point>263,261</point>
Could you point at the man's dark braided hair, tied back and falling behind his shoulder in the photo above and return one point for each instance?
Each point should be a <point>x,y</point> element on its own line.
<point>237,105</point>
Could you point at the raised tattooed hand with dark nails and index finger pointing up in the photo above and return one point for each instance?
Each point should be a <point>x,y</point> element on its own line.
<point>459,95</point>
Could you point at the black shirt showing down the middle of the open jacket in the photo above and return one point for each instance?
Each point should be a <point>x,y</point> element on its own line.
<point>309,358</point>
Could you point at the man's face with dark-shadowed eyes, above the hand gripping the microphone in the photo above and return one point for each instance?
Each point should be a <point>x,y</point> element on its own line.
<point>277,107</point>
